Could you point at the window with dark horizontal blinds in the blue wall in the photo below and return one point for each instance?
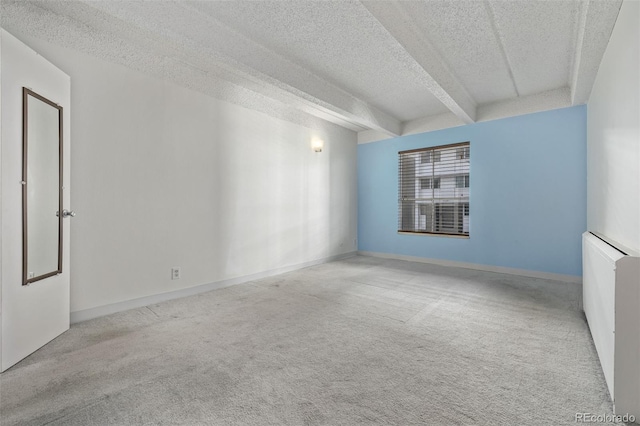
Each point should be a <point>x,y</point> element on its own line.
<point>434,190</point>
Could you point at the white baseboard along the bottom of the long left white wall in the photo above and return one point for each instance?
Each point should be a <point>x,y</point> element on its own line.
<point>100,311</point>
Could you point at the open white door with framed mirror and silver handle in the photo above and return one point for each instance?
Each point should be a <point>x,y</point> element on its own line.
<point>35,313</point>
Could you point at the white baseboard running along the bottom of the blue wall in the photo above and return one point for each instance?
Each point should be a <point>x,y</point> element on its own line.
<point>480,267</point>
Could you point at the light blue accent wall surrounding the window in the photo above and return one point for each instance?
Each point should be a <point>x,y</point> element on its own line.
<point>527,193</point>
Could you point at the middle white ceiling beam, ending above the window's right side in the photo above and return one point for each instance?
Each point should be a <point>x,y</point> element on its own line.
<point>396,18</point>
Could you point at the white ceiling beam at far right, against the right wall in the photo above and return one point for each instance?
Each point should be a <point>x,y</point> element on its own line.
<point>595,23</point>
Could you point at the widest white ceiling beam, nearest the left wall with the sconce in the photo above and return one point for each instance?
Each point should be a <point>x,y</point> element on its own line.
<point>249,64</point>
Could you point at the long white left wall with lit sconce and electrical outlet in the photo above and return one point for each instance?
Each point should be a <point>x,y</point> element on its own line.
<point>163,176</point>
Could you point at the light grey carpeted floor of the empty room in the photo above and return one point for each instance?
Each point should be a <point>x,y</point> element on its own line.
<point>359,341</point>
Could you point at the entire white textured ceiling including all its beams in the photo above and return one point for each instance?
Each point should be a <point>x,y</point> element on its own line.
<point>379,68</point>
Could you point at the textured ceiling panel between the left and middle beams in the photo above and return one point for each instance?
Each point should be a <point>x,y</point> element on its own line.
<point>340,42</point>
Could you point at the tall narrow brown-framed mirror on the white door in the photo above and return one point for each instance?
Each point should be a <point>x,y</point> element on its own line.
<point>41,187</point>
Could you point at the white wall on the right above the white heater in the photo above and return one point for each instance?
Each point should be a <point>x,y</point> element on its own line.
<point>613,134</point>
